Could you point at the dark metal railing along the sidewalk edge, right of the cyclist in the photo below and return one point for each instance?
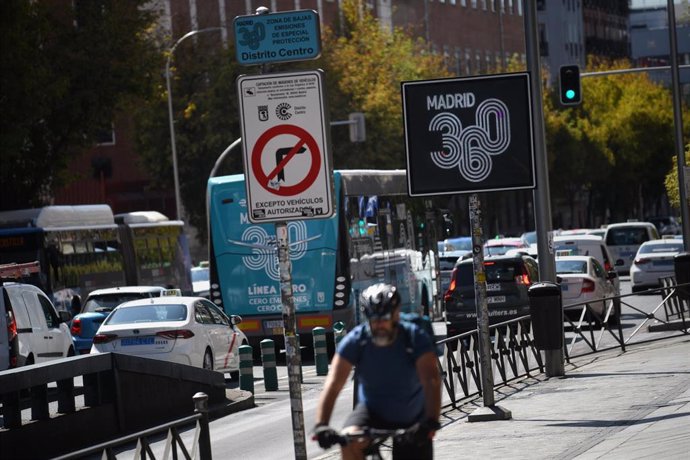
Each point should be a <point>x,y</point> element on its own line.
<point>513,351</point>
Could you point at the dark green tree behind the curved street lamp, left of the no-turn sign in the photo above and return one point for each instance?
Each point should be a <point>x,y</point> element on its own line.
<point>206,118</point>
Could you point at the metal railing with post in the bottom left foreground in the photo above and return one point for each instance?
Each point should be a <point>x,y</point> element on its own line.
<point>201,444</point>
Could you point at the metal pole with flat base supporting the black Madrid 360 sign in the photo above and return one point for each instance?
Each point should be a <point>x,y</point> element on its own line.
<point>490,410</point>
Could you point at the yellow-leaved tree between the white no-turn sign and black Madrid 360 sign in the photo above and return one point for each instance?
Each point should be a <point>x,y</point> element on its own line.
<point>364,67</point>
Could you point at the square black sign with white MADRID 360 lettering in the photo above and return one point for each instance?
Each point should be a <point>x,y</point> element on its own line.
<point>468,135</point>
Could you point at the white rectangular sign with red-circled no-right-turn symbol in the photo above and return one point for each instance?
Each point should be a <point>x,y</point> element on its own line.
<point>286,146</point>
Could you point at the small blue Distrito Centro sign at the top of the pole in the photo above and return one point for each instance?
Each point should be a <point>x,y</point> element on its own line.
<point>277,37</point>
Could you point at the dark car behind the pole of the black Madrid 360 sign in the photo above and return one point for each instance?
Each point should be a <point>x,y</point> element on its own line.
<point>507,280</point>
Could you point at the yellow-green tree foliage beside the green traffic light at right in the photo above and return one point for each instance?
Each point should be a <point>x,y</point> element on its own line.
<point>616,147</point>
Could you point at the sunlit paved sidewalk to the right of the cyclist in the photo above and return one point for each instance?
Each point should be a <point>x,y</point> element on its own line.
<point>611,405</point>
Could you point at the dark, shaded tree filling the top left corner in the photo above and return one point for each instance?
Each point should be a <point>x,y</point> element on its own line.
<point>63,74</point>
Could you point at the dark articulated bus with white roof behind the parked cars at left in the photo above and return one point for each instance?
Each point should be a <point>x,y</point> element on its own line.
<point>82,248</point>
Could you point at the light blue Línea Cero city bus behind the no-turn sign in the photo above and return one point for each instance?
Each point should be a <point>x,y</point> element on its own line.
<point>377,234</point>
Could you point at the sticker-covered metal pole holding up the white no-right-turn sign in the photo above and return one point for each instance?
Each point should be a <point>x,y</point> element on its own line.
<point>292,348</point>
